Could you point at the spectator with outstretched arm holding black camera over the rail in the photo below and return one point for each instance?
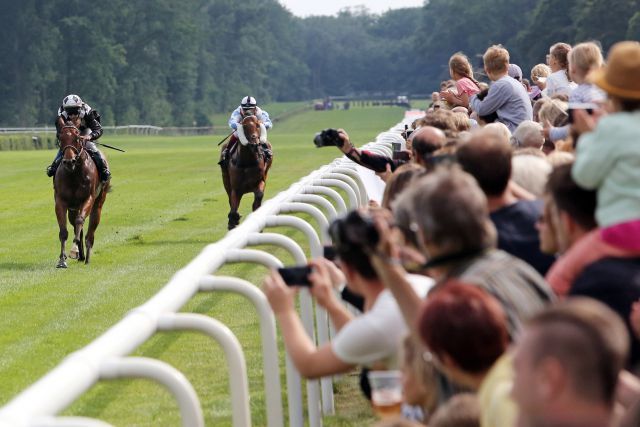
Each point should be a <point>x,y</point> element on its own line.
<point>420,144</point>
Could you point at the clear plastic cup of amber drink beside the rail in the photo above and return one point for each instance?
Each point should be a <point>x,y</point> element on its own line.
<point>386,392</point>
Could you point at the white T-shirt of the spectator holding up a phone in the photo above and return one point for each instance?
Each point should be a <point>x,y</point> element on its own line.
<point>377,335</point>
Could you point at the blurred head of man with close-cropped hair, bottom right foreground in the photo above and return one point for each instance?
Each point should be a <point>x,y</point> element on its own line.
<point>567,364</point>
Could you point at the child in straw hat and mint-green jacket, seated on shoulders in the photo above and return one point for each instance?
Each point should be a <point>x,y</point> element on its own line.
<point>608,159</point>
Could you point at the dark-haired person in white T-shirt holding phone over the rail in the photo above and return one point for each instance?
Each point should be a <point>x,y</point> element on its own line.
<point>372,339</point>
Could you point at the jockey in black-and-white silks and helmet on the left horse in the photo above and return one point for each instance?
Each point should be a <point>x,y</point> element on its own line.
<point>90,129</point>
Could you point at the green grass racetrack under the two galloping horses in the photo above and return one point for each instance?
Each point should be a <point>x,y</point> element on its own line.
<point>168,202</point>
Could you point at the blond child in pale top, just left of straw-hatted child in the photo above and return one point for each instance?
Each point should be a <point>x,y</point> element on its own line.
<point>583,59</point>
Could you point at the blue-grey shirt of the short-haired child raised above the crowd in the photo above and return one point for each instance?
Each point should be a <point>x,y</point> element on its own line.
<point>509,99</point>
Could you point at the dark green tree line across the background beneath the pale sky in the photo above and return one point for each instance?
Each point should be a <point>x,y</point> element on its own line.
<point>173,63</point>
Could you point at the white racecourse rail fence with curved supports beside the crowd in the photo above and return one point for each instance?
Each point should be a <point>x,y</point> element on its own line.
<point>107,356</point>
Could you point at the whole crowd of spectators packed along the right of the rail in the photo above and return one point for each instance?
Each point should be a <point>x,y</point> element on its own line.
<point>501,272</point>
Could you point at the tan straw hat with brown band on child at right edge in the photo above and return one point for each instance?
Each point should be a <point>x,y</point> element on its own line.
<point>621,76</point>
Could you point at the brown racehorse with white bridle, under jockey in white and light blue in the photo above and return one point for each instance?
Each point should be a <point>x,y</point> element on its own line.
<point>246,171</point>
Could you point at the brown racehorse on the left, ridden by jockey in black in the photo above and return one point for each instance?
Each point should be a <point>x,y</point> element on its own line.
<point>78,191</point>
